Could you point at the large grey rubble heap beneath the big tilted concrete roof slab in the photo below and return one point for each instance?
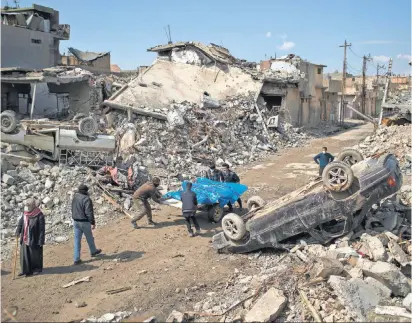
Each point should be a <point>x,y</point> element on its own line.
<point>193,137</point>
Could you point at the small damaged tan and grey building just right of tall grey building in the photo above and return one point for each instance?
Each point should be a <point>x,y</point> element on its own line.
<point>91,61</point>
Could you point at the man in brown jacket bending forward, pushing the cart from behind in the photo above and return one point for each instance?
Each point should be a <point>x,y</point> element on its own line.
<point>141,198</point>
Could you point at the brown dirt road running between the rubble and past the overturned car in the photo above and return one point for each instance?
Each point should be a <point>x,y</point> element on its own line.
<point>157,263</point>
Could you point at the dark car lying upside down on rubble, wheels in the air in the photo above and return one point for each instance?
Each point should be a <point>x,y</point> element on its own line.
<point>318,212</point>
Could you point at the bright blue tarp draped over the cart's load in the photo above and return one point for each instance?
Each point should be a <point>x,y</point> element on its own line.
<point>210,192</point>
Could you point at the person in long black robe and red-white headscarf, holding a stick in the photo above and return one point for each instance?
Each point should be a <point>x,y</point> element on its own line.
<point>31,229</point>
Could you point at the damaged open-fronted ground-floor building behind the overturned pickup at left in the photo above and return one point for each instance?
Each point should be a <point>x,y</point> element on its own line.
<point>50,92</point>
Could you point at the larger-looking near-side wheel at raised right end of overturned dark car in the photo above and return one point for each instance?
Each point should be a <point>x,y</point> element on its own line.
<point>337,176</point>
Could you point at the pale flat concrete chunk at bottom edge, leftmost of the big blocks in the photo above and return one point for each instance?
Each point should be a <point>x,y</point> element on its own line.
<point>268,307</point>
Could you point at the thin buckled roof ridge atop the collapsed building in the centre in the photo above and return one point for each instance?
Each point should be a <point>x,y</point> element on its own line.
<point>213,51</point>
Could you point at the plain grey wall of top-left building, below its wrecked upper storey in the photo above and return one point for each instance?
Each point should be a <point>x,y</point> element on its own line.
<point>18,50</point>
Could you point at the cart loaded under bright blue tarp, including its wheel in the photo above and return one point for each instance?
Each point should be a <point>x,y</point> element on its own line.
<point>211,195</point>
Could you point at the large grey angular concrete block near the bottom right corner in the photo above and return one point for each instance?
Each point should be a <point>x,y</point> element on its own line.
<point>355,294</point>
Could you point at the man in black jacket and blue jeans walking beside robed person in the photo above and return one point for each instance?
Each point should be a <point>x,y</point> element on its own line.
<point>83,222</point>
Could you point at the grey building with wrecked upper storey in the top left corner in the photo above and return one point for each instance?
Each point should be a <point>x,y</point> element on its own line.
<point>30,37</point>
